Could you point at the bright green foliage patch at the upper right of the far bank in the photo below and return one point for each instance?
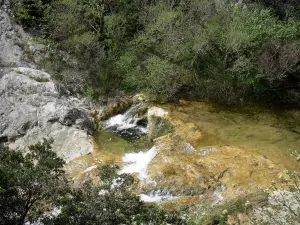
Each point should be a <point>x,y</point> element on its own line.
<point>251,27</point>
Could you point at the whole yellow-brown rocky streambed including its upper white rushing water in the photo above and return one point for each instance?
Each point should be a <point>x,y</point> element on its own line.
<point>206,154</point>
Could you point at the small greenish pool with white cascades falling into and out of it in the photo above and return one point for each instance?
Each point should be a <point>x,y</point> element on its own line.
<point>123,141</point>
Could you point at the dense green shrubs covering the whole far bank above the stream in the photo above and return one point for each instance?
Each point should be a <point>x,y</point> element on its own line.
<point>219,50</point>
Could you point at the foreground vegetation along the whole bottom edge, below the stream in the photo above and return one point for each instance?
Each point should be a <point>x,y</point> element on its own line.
<point>34,188</point>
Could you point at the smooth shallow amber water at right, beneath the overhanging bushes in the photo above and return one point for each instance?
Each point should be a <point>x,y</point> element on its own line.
<point>274,134</point>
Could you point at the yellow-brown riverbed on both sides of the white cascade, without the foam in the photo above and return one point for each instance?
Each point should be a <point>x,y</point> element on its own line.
<point>232,151</point>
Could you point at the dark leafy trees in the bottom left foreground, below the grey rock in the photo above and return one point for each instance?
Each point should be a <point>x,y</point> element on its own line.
<point>33,187</point>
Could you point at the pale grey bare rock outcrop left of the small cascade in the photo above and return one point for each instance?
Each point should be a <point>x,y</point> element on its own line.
<point>32,109</point>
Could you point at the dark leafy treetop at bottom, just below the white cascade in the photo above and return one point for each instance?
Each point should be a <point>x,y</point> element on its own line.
<point>109,203</point>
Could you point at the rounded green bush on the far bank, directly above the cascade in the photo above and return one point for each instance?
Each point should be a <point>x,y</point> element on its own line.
<point>154,61</point>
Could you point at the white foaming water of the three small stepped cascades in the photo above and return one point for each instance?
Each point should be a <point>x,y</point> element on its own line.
<point>128,125</point>
